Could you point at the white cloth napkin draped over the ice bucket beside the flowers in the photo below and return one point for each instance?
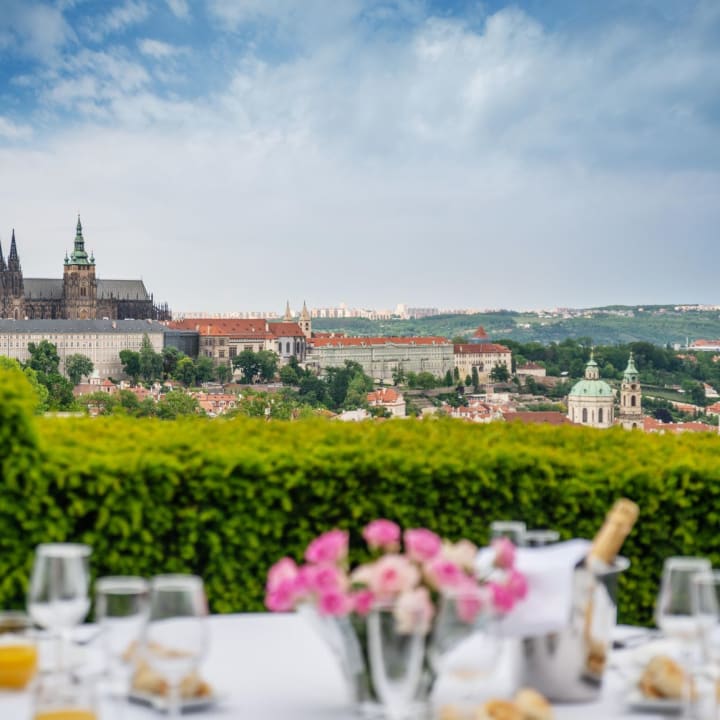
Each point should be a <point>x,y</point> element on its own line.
<point>549,572</point>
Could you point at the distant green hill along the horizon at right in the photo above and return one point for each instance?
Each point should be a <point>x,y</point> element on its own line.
<point>659,325</point>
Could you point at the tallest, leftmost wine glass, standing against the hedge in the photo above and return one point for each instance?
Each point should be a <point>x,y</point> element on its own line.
<point>58,597</point>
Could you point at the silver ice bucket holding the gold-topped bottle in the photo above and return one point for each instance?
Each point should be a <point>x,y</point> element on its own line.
<point>568,665</point>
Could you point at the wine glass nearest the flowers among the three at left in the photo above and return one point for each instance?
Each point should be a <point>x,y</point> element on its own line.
<point>175,635</point>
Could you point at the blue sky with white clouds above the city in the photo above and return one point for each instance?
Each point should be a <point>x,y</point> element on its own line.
<point>236,154</point>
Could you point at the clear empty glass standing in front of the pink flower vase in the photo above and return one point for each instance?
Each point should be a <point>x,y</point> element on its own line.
<point>396,651</point>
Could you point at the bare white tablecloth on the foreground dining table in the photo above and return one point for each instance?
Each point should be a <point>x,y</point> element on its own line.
<point>275,667</point>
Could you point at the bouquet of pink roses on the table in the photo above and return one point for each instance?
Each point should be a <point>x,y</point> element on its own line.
<point>410,571</point>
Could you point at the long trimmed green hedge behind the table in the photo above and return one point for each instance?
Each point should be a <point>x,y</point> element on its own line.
<point>225,499</point>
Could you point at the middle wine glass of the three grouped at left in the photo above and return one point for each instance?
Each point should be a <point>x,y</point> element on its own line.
<point>121,610</point>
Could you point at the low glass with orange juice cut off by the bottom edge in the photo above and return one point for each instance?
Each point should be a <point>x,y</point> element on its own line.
<point>61,697</point>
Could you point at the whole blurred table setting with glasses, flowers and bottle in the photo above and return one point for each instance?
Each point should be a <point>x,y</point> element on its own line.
<point>423,629</point>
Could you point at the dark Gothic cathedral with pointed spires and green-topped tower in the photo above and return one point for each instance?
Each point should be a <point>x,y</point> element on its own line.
<point>79,295</point>
